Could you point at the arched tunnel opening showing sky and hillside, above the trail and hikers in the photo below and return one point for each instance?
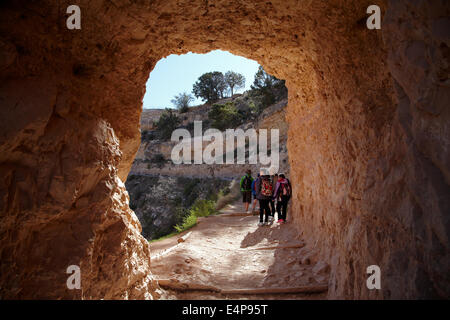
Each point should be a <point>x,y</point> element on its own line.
<point>257,108</point>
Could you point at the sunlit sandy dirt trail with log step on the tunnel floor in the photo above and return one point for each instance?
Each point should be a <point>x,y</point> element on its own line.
<point>227,256</point>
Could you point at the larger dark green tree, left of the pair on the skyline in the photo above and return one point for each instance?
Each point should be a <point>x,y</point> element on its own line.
<point>210,87</point>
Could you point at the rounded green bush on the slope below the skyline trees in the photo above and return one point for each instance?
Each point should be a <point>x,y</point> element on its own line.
<point>224,116</point>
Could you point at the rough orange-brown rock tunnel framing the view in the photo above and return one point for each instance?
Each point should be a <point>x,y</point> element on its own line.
<point>368,141</point>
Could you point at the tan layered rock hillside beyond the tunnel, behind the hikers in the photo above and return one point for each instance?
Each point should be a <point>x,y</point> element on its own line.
<point>272,117</point>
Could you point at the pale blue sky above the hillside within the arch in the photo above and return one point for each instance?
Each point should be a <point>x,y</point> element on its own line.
<point>176,74</point>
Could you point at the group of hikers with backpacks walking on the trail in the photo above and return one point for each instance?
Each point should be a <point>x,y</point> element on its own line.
<point>272,191</point>
